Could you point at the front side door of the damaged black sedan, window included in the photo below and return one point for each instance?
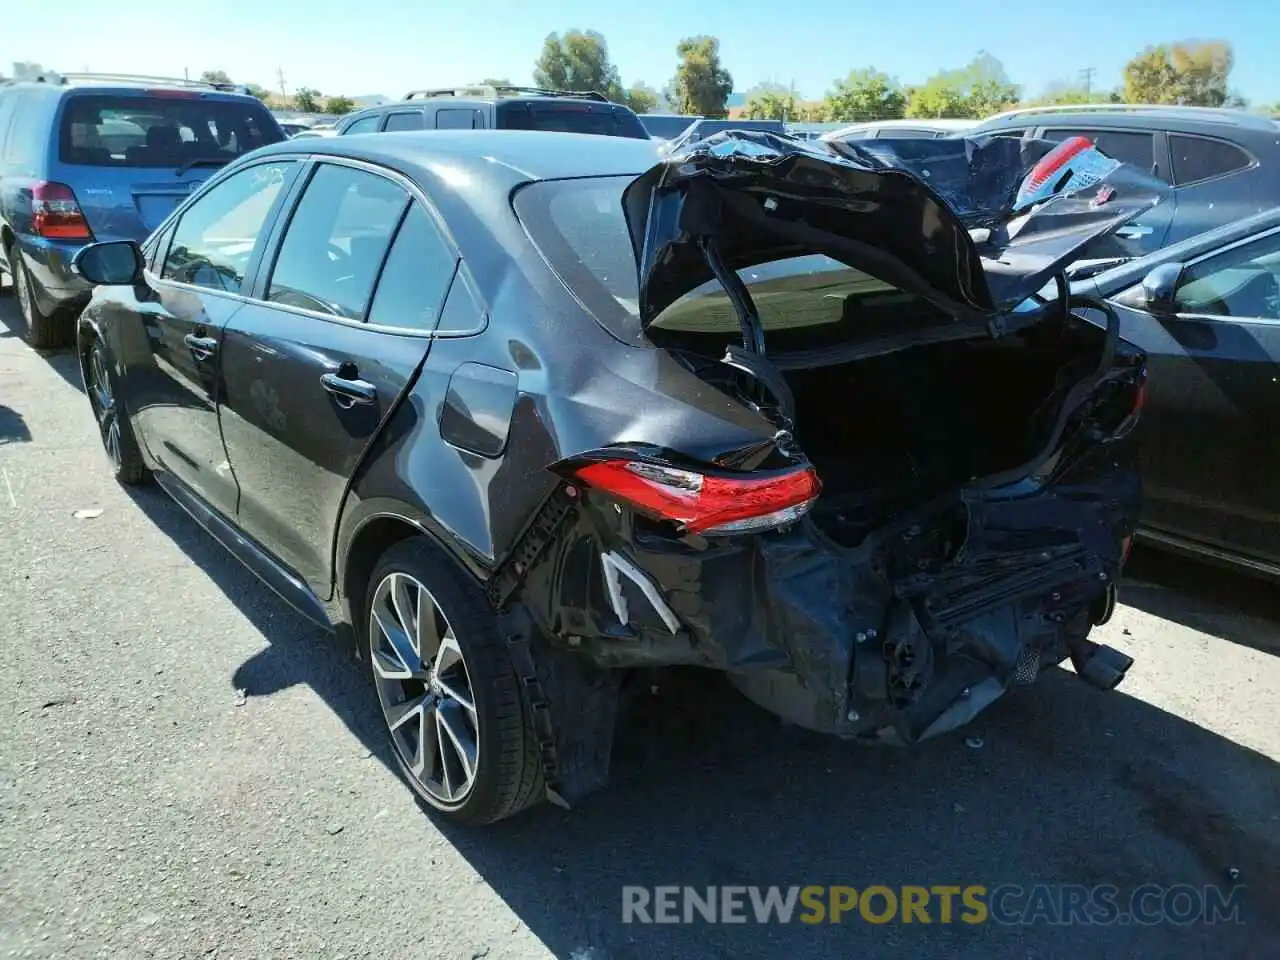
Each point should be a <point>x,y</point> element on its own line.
<point>195,291</point>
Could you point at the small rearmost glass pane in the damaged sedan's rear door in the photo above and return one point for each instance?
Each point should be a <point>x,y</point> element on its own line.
<point>417,277</point>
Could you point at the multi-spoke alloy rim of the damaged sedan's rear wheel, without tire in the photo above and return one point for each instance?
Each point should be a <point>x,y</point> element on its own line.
<point>424,689</point>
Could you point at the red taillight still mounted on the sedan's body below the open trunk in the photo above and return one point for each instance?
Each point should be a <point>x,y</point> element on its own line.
<point>707,504</point>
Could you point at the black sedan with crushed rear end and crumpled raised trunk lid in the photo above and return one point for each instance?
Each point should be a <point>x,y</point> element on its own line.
<point>529,412</point>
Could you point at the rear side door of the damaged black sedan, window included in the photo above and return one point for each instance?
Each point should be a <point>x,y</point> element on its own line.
<point>341,323</point>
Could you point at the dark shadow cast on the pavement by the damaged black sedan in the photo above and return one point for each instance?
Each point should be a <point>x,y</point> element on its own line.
<point>1068,785</point>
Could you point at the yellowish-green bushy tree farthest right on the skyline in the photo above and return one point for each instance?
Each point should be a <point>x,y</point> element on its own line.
<point>1192,74</point>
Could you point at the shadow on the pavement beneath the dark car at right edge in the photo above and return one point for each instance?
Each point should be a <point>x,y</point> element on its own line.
<point>1223,604</point>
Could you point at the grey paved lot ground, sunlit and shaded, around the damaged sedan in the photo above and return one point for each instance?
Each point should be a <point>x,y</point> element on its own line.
<point>149,810</point>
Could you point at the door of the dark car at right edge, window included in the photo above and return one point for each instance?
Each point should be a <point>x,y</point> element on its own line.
<point>1210,460</point>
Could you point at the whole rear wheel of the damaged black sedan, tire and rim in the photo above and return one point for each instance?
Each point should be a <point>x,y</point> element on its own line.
<point>447,688</point>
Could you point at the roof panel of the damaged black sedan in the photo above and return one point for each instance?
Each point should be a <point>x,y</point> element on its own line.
<point>505,158</point>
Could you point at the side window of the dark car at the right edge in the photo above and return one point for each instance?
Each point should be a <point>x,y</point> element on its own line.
<point>1238,284</point>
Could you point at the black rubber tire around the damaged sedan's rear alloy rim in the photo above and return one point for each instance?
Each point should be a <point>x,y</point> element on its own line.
<point>508,772</point>
